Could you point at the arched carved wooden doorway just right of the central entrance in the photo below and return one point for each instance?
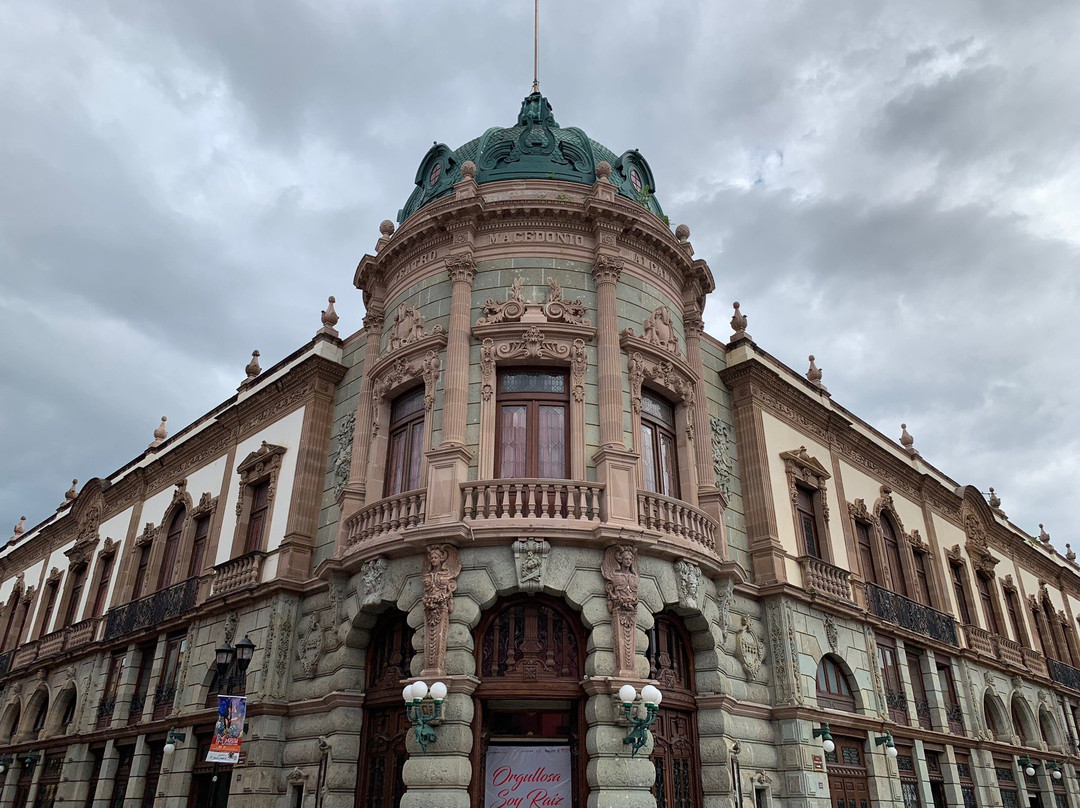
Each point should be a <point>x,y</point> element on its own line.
<point>676,749</point>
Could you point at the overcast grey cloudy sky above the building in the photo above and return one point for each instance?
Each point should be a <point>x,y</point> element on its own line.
<point>893,187</point>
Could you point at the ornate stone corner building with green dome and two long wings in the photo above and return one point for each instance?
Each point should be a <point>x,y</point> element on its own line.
<point>534,478</point>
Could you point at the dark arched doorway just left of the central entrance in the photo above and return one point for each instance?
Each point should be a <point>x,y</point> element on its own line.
<point>383,752</point>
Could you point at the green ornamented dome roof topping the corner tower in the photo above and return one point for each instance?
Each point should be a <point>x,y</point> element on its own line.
<point>536,147</point>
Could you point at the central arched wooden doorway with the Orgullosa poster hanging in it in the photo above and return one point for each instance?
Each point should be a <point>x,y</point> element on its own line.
<point>530,705</point>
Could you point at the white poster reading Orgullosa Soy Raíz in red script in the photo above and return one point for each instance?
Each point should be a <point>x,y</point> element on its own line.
<point>528,777</point>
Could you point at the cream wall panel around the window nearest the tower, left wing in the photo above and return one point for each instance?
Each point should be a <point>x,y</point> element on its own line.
<point>285,433</point>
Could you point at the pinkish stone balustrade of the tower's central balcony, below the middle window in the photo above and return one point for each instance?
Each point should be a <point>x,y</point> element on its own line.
<point>487,501</point>
